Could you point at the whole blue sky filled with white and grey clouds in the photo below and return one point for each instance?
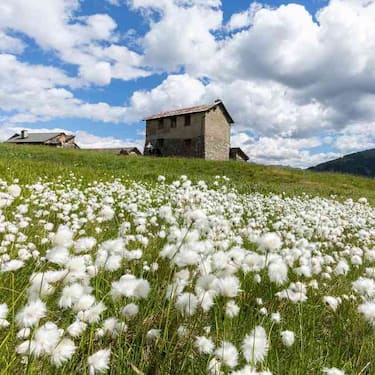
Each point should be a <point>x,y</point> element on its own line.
<point>297,77</point>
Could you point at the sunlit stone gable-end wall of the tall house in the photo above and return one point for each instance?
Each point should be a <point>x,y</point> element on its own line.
<point>217,135</point>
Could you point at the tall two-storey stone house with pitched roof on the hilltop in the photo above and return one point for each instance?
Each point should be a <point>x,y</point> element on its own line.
<point>198,132</point>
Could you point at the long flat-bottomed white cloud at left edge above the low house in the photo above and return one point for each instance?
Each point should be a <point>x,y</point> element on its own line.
<point>31,93</point>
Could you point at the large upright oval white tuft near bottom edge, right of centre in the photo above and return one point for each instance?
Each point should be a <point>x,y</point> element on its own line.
<point>255,345</point>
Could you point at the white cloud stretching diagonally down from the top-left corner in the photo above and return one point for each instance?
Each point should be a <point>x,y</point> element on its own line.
<point>74,39</point>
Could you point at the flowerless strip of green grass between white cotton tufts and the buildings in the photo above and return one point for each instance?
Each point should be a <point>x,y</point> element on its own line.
<point>31,162</point>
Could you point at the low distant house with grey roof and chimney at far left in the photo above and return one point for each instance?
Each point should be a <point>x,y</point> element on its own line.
<point>48,139</point>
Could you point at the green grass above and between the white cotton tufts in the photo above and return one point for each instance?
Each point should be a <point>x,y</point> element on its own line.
<point>323,337</point>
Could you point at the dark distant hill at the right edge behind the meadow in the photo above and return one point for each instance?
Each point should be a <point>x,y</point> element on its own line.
<point>359,163</point>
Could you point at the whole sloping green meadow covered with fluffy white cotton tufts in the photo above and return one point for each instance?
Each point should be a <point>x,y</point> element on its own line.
<point>132,265</point>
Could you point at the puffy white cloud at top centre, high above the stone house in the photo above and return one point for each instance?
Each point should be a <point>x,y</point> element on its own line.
<point>181,35</point>
